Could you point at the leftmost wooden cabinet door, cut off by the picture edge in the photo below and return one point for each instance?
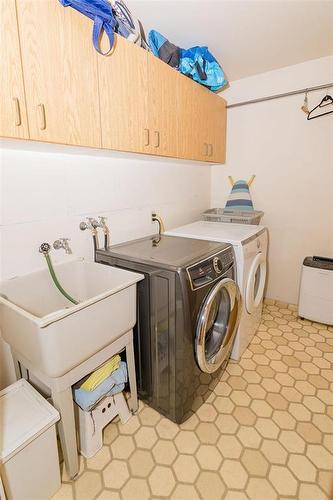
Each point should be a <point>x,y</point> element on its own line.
<point>13,116</point>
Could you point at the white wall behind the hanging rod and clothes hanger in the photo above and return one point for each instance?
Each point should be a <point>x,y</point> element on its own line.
<point>293,161</point>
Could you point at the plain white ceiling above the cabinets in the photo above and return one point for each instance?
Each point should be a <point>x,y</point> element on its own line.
<point>247,37</point>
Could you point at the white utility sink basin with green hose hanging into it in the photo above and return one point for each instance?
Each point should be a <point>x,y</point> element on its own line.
<point>52,333</point>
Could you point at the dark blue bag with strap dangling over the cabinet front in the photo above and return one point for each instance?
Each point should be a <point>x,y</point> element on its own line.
<point>100,11</point>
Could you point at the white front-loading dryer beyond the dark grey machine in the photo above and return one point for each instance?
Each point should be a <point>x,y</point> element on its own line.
<point>250,247</point>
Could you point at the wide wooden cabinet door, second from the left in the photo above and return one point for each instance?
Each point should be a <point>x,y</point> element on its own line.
<point>60,73</point>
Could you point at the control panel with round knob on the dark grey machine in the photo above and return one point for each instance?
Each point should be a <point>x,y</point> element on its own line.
<point>211,269</point>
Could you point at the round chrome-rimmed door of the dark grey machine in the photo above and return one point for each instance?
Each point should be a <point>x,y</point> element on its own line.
<point>217,325</point>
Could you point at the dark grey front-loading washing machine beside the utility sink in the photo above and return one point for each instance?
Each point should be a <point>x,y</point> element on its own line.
<point>188,313</point>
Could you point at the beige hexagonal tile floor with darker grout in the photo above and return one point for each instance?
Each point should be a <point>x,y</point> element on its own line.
<point>265,433</point>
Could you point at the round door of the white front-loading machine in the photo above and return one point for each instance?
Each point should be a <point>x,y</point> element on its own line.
<point>256,283</point>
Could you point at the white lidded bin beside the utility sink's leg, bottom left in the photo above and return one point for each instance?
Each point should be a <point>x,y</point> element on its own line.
<point>29,462</point>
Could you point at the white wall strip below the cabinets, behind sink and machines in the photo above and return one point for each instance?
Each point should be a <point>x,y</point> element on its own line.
<point>45,191</point>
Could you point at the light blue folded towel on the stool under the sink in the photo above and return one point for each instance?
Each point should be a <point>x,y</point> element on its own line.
<point>111,385</point>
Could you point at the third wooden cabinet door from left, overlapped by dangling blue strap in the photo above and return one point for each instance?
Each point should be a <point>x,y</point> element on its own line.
<point>123,97</point>
